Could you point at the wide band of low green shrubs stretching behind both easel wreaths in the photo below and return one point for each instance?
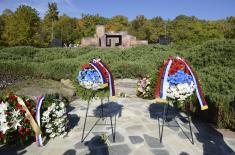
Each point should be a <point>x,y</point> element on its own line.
<point>213,61</point>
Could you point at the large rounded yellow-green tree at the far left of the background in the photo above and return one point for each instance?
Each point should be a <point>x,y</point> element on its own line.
<point>21,27</point>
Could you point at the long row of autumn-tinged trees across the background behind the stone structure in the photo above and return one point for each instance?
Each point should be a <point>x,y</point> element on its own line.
<point>24,27</point>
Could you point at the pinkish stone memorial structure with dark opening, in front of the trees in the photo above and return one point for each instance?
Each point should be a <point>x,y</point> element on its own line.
<point>111,39</point>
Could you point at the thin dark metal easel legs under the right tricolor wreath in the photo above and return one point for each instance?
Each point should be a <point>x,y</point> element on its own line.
<point>164,120</point>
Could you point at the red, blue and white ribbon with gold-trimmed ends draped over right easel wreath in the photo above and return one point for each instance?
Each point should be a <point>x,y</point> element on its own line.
<point>162,80</point>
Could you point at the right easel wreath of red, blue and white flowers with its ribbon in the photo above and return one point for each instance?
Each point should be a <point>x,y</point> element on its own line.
<point>177,81</point>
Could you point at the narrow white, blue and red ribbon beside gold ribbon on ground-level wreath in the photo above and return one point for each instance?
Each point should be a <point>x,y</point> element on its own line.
<point>38,119</point>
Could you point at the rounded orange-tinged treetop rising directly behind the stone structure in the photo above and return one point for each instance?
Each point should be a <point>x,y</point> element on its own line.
<point>118,23</point>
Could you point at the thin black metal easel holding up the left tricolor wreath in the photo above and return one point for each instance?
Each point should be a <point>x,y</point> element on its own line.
<point>101,117</point>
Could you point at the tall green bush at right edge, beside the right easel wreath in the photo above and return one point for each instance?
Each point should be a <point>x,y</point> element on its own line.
<point>214,63</point>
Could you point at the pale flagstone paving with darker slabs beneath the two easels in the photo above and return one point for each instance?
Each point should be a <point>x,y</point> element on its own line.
<point>137,133</point>
